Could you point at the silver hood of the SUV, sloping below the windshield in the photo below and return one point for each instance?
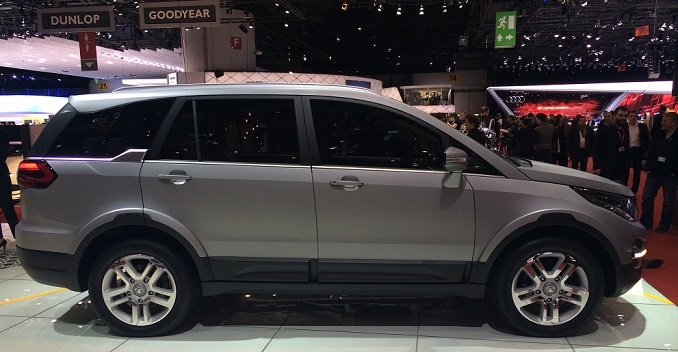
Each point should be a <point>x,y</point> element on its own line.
<point>545,172</point>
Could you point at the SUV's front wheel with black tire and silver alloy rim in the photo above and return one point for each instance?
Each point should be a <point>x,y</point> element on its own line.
<point>548,287</point>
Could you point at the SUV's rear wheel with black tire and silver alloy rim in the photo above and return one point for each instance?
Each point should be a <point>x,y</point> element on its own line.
<point>142,288</point>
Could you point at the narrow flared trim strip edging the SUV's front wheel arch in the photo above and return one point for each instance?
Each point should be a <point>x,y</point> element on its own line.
<point>482,270</point>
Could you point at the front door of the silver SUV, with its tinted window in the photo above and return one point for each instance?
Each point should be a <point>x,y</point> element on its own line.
<point>383,214</point>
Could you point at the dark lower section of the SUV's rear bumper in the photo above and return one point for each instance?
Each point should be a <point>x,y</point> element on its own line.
<point>49,268</point>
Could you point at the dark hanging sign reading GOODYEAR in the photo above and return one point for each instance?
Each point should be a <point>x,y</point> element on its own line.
<point>179,14</point>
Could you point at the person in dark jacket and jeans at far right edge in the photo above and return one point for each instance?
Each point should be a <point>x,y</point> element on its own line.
<point>662,171</point>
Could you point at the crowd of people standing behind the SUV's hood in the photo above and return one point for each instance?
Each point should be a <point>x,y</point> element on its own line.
<point>620,146</point>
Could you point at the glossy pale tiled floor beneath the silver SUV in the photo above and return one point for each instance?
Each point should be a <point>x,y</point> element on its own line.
<point>35,317</point>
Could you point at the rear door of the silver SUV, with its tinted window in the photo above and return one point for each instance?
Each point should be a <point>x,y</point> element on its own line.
<point>231,175</point>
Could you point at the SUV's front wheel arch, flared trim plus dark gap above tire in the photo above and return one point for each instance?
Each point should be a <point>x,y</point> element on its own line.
<point>559,225</point>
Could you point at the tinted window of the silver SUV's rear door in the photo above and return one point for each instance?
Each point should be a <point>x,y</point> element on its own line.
<point>262,130</point>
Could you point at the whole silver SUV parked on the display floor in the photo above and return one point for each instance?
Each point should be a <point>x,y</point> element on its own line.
<point>150,197</point>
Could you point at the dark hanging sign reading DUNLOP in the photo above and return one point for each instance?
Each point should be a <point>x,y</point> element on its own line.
<point>76,19</point>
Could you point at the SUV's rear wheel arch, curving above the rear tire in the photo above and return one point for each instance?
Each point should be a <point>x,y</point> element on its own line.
<point>136,226</point>
